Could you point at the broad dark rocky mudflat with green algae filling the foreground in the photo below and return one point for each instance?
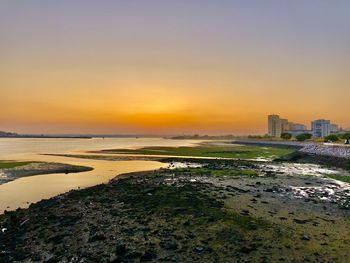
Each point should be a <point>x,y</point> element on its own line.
<point>221,211</point>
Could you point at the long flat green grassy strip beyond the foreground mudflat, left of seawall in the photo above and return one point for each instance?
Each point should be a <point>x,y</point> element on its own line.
<point>240,152</point>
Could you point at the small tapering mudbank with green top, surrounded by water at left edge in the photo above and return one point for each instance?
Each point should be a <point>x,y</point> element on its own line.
<point>36,168</point>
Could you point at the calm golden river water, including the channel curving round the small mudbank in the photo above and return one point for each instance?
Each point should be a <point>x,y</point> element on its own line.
<point>26,190</point>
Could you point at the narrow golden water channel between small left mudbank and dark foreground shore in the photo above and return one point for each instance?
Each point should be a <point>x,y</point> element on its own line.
<point>26,190</point>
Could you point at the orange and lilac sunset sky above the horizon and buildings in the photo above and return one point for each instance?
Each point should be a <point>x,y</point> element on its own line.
<point>172,67</point>
